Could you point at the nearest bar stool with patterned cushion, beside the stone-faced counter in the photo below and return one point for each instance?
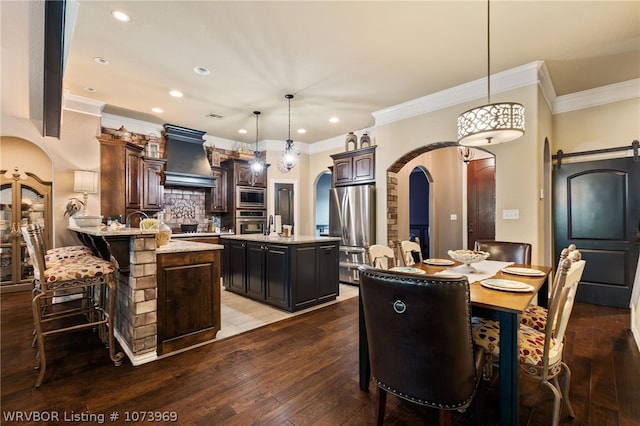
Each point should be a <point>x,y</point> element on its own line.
<point>90,279</point>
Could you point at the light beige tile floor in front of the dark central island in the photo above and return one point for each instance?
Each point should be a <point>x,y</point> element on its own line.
<point>240,314</point>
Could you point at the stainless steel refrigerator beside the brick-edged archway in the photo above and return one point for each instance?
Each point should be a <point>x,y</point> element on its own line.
<point>352,217</point>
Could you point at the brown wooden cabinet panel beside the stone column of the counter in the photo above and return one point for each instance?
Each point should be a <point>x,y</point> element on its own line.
<point>188,299</point>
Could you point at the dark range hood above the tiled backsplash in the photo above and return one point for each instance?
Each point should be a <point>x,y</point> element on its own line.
<point>187,164</point>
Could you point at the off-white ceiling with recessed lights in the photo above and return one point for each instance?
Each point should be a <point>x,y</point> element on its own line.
<point>339,58</point>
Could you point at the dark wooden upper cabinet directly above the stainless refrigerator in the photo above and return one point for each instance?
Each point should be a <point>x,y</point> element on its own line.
<point>354,167</point>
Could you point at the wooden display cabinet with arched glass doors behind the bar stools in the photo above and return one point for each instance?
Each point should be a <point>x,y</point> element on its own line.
<point>24,199</point>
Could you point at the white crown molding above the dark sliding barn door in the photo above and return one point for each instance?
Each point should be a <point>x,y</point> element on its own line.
<point>599,96</point>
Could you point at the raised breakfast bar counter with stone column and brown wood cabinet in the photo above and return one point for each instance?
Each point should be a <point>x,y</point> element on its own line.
<point>168,298</point>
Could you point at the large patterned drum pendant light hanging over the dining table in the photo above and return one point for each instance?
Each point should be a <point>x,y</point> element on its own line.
<point>491,124</point>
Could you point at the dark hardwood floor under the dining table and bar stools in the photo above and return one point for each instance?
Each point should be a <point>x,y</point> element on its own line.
<point>300,371</point>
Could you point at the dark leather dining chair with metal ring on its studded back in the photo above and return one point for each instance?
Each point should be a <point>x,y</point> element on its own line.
<point>419,339</point>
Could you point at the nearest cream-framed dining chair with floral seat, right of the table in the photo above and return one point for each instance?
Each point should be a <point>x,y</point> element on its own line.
<point>540,352</point>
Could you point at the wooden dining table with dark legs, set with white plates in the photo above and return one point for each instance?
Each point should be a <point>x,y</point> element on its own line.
<point>504,306</point>
